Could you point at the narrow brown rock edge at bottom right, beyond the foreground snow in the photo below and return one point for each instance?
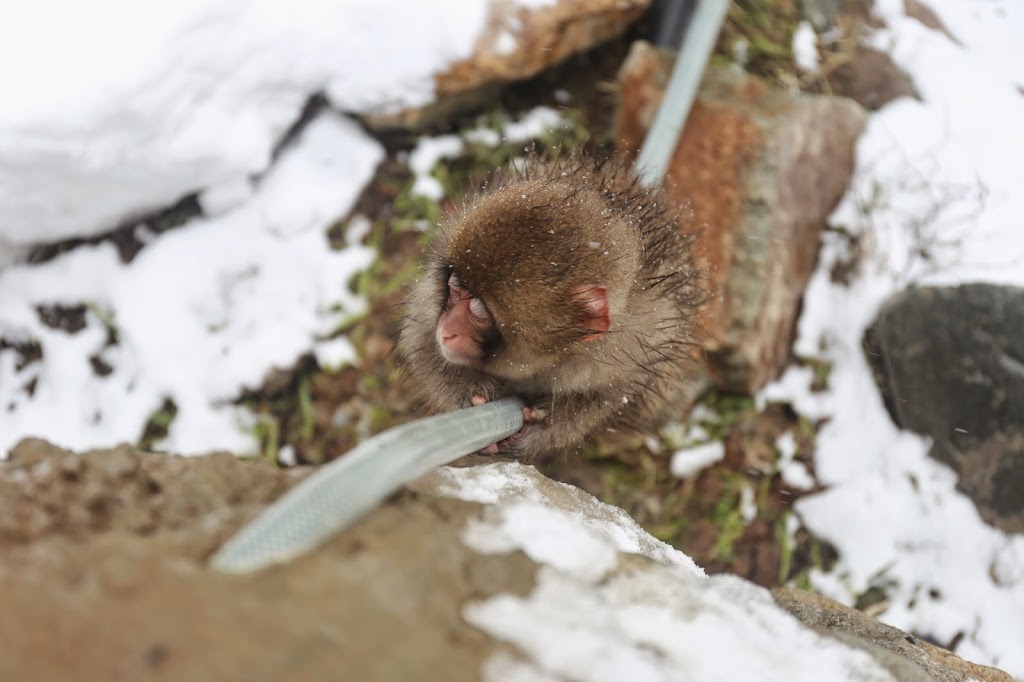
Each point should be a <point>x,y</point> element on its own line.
<point>908,658</point>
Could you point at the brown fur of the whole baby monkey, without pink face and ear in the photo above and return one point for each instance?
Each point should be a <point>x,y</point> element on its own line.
<point>524,244</point>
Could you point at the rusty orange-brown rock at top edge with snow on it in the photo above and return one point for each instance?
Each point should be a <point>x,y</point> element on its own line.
<point>521,41</point>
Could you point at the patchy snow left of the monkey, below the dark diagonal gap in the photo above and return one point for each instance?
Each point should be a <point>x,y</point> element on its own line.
<point>201,314</point>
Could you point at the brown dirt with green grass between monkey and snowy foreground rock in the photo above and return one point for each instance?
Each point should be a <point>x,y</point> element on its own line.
<point>701,516</point>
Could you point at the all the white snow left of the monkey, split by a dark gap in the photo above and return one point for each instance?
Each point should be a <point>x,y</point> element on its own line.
<point>123,108</point>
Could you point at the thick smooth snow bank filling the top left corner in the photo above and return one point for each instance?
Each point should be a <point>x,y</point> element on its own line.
<point>121,108</point>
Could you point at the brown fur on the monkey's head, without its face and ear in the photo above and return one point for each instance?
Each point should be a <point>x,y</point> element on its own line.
<point>530,247</point>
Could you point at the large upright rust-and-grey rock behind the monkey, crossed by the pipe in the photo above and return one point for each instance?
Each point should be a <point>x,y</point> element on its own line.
<point>762,172</point>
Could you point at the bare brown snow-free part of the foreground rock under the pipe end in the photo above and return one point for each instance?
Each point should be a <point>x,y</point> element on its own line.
<point>104,602</point>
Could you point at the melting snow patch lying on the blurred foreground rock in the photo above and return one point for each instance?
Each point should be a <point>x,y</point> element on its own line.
<point>593,617</point>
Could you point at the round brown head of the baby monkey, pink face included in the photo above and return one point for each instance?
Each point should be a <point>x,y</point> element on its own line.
<point>524,276</point>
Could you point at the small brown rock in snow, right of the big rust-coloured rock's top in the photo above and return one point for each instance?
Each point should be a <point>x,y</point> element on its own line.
<point>871,79</point>
